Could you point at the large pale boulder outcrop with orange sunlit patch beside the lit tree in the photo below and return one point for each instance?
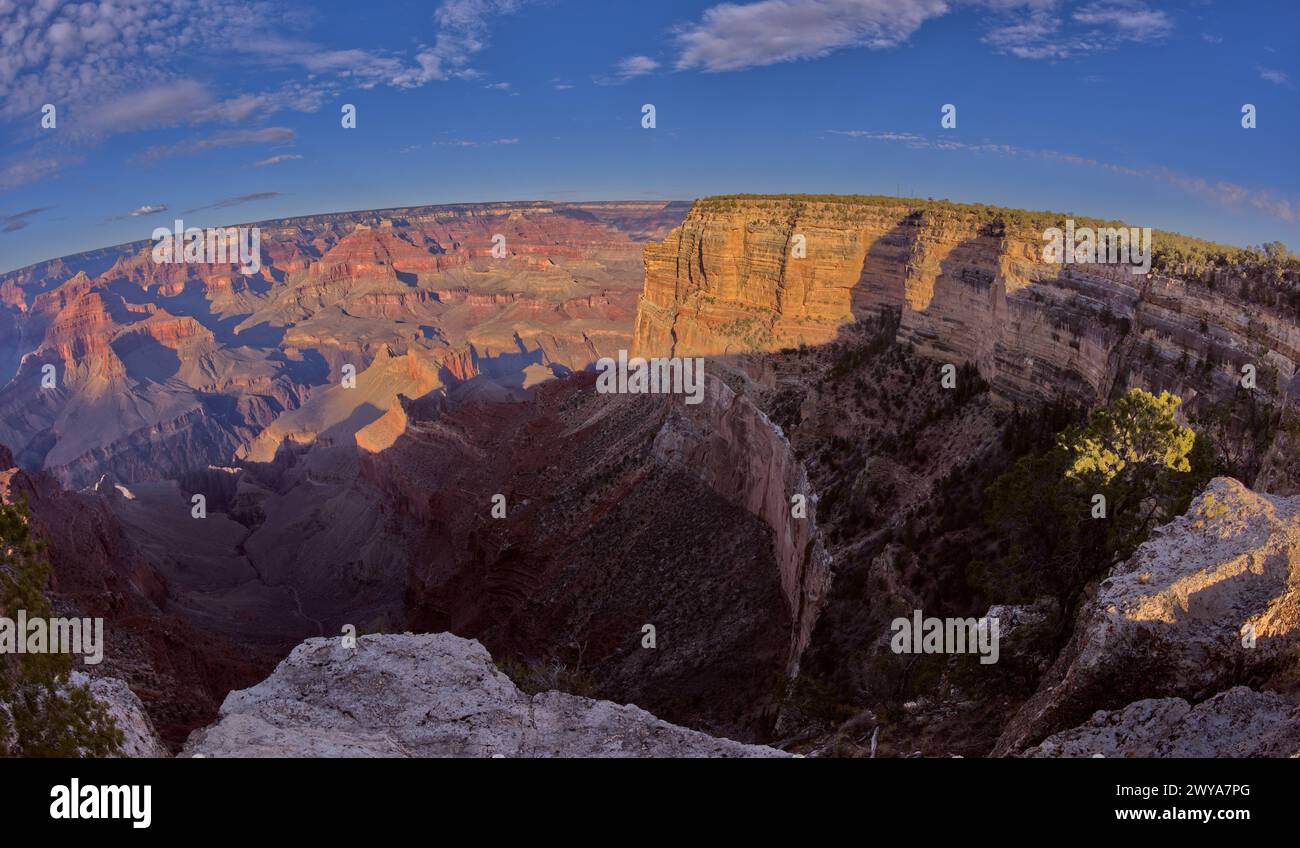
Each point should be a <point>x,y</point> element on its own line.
<point>1210,602</point>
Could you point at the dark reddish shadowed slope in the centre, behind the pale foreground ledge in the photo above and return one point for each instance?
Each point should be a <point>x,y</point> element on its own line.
<point>590,550</point>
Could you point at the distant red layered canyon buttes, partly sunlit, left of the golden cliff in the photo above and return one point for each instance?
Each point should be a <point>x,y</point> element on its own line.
<point>167,369</point>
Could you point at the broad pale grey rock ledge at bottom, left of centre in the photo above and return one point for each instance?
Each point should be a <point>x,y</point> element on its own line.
<point>431,696</point>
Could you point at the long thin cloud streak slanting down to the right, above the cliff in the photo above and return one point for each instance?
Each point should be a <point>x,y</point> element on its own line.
<point>1219,192</point>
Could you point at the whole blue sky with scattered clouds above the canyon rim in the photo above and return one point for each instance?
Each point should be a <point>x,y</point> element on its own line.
<point>229,111</point>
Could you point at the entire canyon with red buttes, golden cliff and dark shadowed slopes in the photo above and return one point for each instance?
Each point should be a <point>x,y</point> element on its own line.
<point>370,504</point>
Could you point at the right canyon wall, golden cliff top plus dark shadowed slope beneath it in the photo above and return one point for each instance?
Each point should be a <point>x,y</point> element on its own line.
<point>842,348</point>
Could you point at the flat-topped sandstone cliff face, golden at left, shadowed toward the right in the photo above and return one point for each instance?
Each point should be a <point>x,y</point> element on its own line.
<point>726,282</point>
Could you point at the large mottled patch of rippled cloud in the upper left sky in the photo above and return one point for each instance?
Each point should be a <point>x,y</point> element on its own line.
<point>118,67</point>
